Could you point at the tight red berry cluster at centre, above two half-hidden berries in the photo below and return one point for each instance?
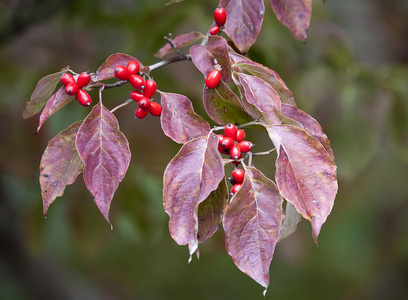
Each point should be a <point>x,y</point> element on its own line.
<point>233,144</point>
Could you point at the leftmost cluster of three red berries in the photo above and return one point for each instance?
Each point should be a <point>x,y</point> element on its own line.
<point>74,87</point>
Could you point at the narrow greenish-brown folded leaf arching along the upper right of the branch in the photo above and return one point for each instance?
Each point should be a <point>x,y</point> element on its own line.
<point>245,65</point>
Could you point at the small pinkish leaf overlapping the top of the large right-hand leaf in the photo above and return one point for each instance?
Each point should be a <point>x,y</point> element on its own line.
<point>262,96</point>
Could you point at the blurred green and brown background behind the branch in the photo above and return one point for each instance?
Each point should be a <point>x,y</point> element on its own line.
<point>351,75</point>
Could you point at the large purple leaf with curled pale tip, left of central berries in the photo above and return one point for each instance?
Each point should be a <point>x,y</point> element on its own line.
<point>189,178</point>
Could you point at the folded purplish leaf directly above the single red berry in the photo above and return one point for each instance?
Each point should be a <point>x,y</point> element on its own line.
<point>214,53</point>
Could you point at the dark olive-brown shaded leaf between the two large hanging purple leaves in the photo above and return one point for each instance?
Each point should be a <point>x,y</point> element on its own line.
<point>210,212</point>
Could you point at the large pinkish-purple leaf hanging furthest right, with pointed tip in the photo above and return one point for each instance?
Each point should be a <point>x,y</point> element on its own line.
<point>305,174</point>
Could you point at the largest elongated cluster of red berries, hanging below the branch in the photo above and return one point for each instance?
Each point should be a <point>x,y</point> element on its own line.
<point>144,89</point>
